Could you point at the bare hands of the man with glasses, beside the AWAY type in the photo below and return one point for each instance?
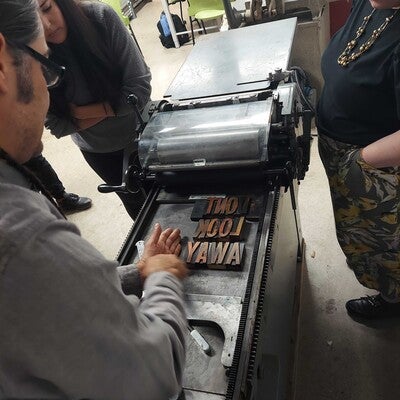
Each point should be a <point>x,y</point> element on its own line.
<point>160,253</point>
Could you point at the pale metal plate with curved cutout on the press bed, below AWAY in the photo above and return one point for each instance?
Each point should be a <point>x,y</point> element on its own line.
<point>224,311</point>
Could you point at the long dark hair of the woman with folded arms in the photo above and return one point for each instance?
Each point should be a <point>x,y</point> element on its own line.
<point>86,38</point>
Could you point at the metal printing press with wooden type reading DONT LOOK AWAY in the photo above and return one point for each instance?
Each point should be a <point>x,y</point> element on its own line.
<point>225,152</point>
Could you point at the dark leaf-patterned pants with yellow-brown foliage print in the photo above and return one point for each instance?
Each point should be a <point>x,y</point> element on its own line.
<point>366,204</point>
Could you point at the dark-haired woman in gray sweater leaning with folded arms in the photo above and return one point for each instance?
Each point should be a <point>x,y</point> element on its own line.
<point>103,66</point>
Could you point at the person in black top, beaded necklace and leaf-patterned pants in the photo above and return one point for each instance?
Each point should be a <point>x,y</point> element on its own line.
<point>359,144</point>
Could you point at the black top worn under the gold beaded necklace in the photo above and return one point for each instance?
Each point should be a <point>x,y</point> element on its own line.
<point>360,103</point>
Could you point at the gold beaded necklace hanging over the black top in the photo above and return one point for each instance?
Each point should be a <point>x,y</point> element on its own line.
<point>347,57</point>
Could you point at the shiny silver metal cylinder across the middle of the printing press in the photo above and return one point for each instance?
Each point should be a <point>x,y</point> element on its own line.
<point>227,135</point>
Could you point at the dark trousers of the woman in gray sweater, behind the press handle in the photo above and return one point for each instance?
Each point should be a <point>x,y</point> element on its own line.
<point>109,167</point>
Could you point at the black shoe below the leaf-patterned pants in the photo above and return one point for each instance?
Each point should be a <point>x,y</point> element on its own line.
<point>372,307</point>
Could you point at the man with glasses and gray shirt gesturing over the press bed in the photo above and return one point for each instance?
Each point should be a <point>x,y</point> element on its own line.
<point>67,330</point>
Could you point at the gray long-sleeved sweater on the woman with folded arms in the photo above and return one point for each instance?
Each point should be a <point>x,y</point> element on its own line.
<point>113,133</point>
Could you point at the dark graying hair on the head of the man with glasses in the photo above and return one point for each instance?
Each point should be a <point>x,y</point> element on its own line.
<point>19,20</point>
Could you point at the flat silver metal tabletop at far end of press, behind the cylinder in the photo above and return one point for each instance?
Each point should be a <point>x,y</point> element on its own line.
<point>234,61</point>
